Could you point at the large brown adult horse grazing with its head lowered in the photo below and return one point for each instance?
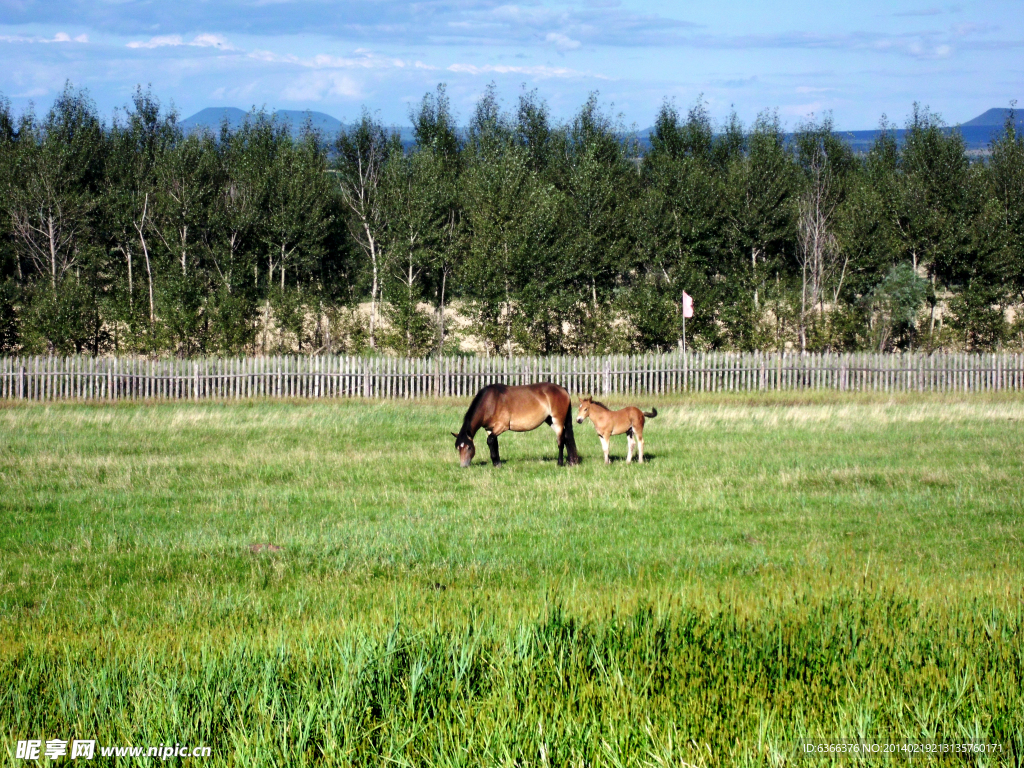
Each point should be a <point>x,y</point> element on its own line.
<point>499,409</point>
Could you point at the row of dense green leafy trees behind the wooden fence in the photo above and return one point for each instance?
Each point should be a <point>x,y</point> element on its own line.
<point>540,237</point>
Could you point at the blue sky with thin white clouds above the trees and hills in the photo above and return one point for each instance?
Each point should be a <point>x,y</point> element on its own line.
<point>858,61</point>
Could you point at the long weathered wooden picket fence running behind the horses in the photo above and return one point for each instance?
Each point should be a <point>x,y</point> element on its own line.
<point>340,376</point>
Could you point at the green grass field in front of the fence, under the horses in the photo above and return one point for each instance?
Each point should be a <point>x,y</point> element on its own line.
<point>787,570</point>
